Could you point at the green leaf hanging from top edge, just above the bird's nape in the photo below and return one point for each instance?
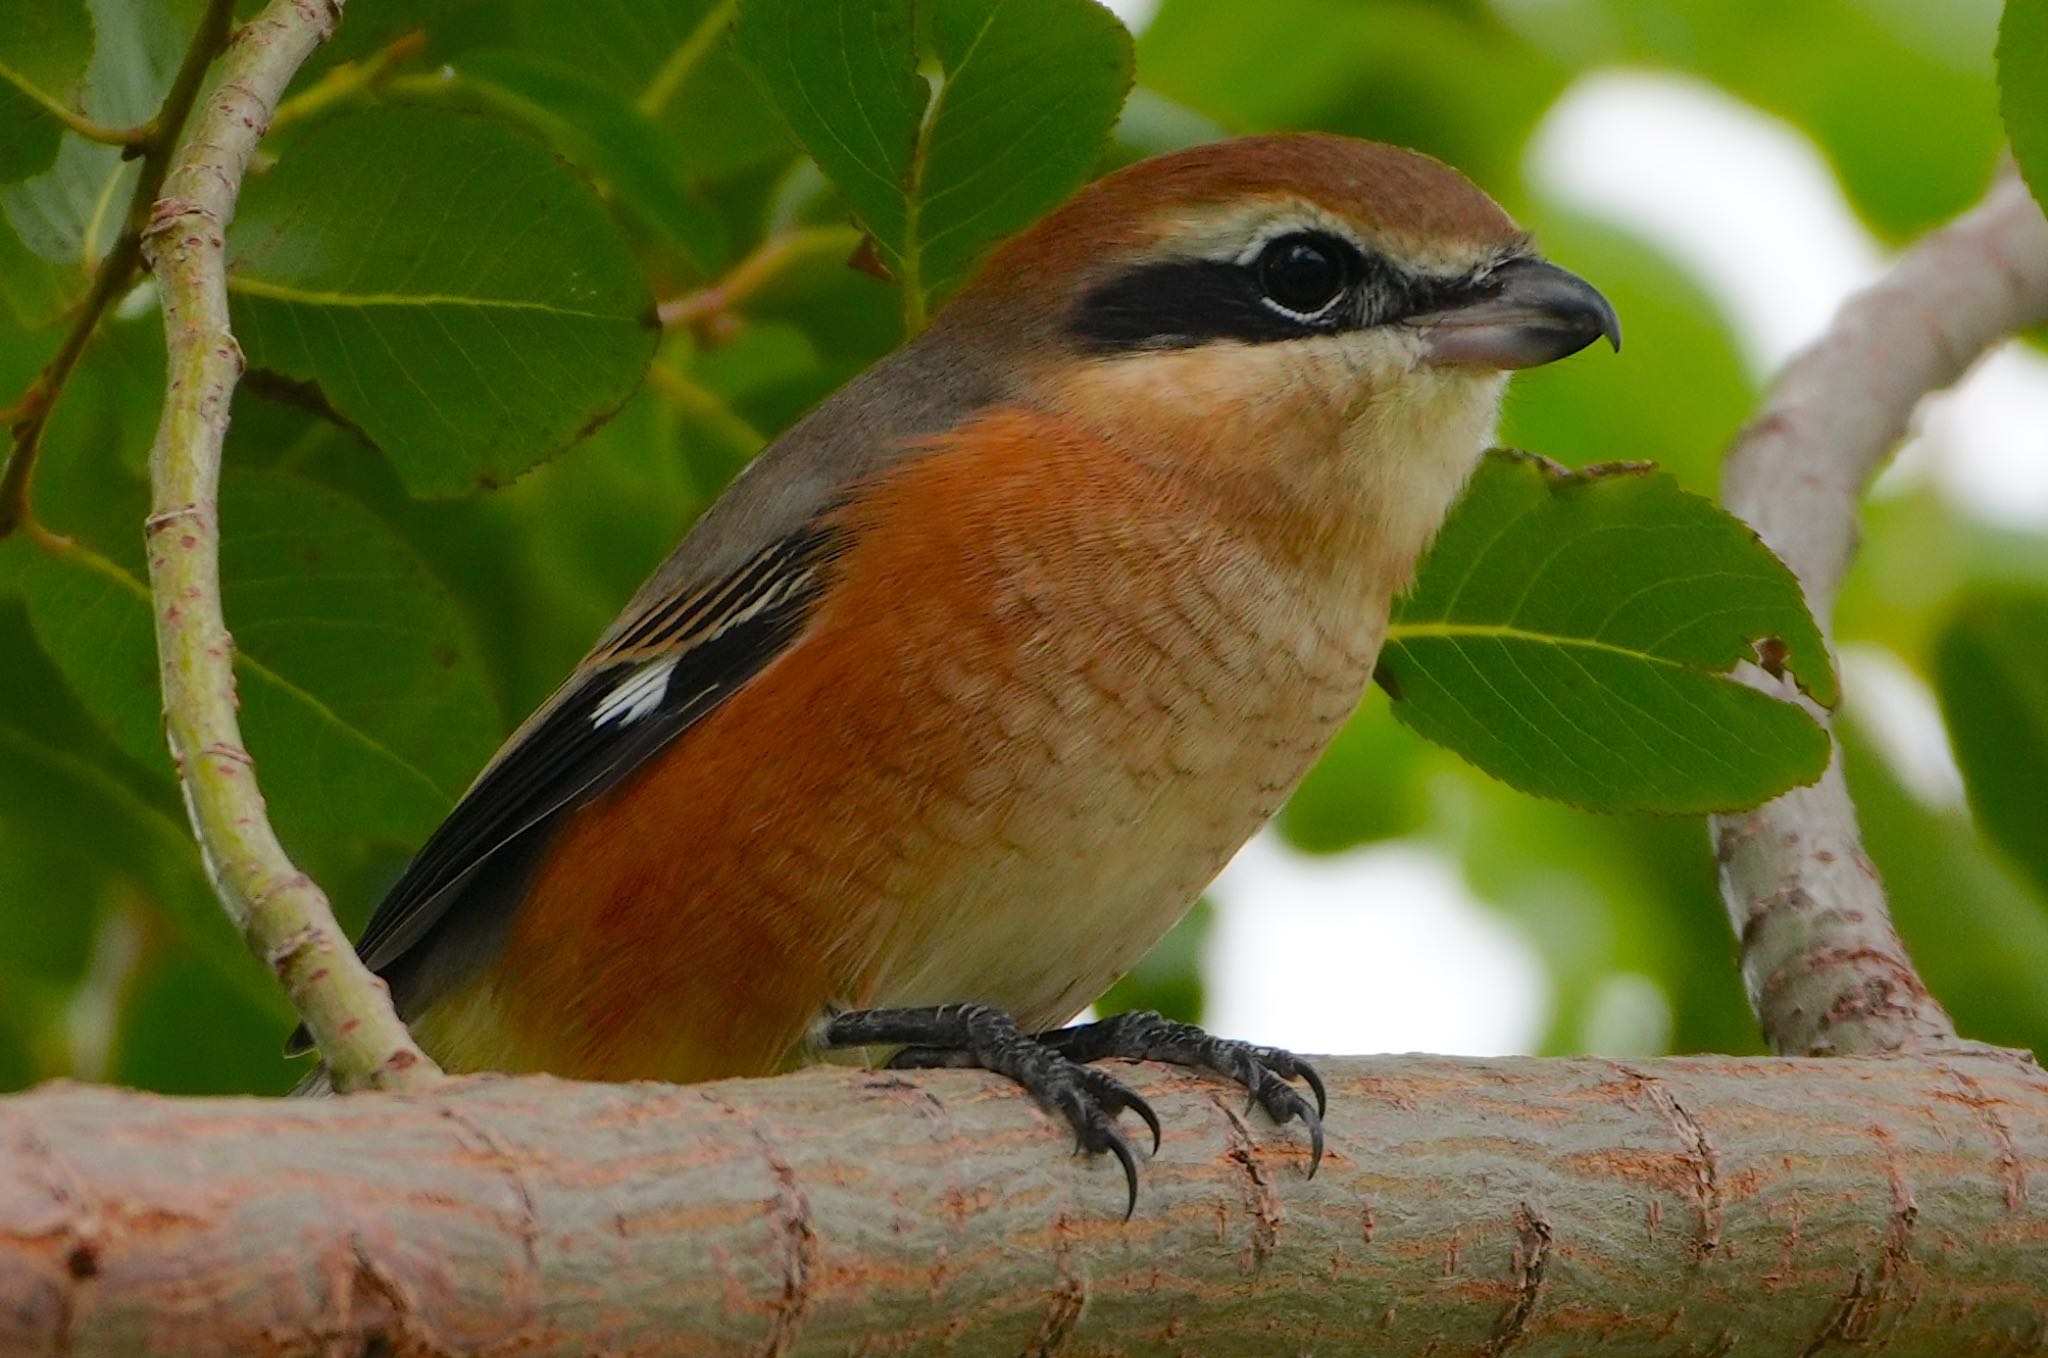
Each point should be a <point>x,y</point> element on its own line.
<point>1031,93</point>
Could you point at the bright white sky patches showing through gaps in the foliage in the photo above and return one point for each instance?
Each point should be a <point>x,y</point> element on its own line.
<point>1385,949</point>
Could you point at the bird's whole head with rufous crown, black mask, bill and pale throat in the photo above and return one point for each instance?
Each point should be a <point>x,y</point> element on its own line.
<point>1314,319</point>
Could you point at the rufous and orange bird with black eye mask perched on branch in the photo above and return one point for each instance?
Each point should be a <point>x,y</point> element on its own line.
<point>968,687</point>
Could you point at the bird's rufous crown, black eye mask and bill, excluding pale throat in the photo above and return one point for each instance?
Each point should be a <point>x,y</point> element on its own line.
<point>1291,237</point>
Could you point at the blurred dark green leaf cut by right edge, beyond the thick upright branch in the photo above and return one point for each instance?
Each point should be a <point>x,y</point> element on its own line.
<point>1994,687</point>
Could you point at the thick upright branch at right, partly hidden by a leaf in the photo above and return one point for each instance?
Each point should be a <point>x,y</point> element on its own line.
<point>1826,970</point>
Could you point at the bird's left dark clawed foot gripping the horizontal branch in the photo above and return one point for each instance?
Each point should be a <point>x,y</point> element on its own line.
<point>974,1035</point>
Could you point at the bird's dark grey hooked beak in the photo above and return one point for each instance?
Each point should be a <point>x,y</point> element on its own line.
<point>1525,314</point>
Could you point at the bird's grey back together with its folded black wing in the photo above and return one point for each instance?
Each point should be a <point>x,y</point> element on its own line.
<point>726,603</point>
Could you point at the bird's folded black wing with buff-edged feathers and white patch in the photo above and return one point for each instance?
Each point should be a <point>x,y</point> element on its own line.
<point>665,669</point>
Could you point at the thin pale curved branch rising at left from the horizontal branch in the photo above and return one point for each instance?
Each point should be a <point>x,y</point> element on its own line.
<point>280,910</point>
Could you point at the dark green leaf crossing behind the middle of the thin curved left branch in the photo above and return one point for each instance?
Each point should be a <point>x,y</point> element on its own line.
<point>361,693</point>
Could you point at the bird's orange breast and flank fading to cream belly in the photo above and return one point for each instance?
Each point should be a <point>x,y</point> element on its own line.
<point>1043,702</point>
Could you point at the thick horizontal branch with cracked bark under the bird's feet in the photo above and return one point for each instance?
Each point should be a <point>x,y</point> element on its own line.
<point>1465,1207</point>
